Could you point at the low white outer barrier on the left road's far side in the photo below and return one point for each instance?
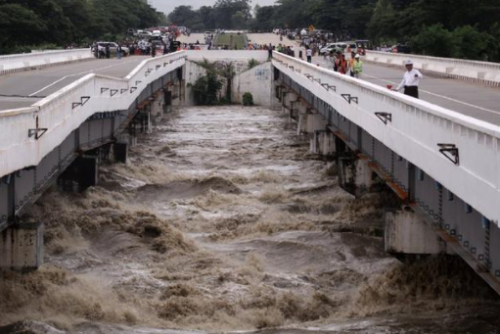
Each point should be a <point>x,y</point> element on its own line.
<point>26,61</point>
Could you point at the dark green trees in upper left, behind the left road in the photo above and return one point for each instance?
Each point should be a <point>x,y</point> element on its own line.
<point>26,24</point>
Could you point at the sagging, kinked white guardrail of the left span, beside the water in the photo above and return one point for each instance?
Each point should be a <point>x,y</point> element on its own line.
<point>29,134</point>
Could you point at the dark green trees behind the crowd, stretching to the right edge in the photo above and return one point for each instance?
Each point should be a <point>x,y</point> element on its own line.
<point>450,28</point>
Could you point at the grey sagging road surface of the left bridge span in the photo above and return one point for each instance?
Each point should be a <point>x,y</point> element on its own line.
<point>16,88</point>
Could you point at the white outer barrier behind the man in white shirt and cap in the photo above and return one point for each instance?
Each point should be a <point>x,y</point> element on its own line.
<point>478,71</point>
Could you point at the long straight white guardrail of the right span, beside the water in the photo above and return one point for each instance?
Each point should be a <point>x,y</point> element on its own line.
<point>415,131</point>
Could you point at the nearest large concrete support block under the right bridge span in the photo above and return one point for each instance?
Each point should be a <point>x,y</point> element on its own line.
<point>406,233</point>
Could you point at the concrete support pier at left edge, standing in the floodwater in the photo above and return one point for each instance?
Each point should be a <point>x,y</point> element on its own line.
<point>21,247</point>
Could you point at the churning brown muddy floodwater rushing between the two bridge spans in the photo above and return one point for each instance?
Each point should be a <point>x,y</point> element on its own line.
<point>222,222</point>
